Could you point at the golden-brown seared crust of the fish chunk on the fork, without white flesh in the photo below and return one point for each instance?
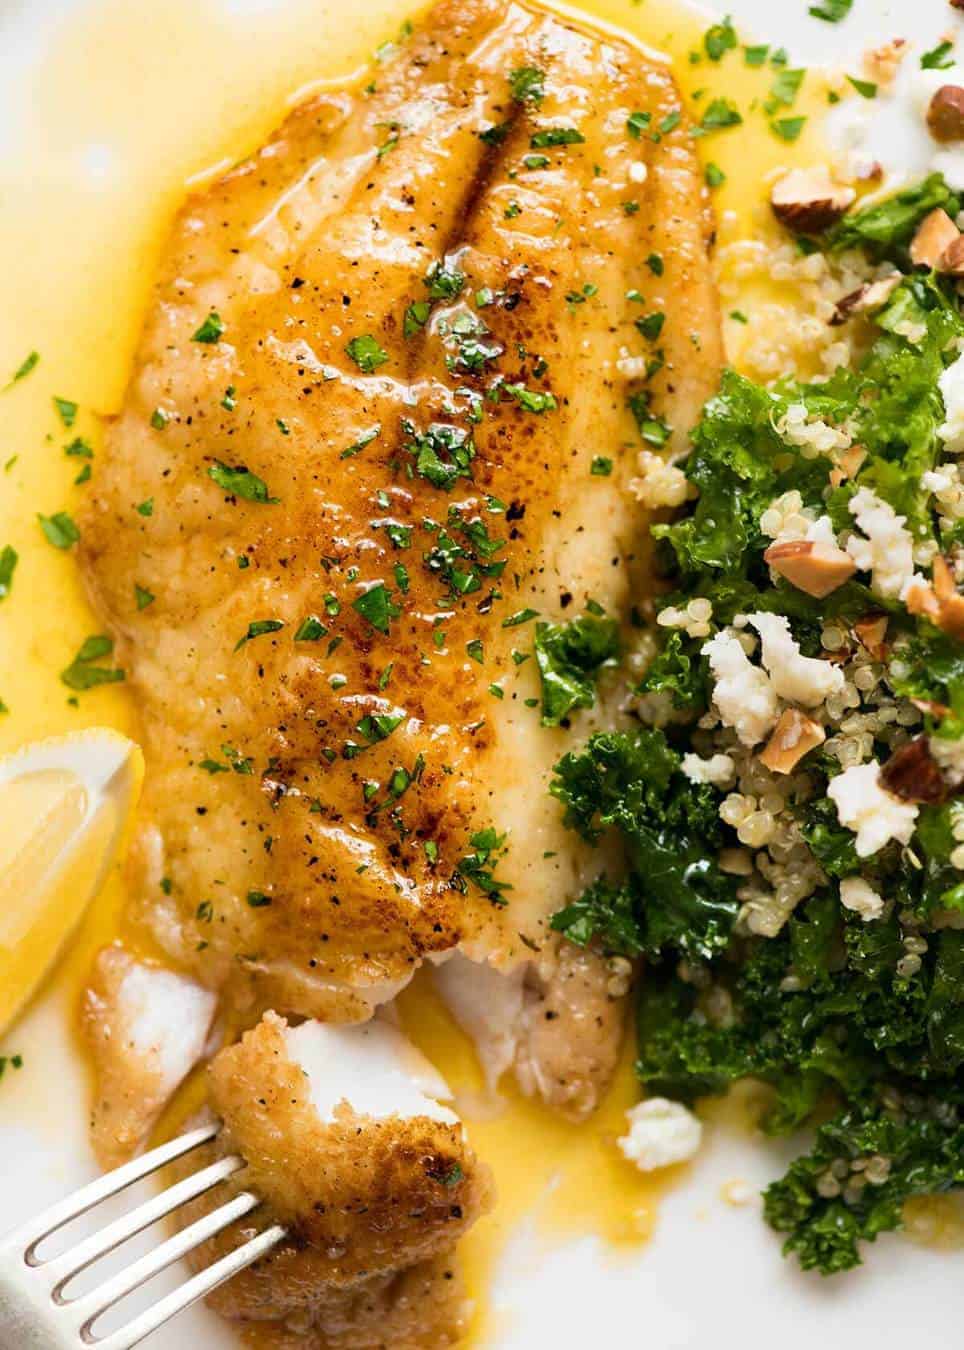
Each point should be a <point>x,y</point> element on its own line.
<point>364,1199</point>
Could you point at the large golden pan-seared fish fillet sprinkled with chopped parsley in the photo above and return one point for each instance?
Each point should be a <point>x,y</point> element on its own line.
<point>282,858</point>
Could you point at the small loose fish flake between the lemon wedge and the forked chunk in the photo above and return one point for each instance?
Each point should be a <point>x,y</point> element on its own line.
<point>148,1028</point>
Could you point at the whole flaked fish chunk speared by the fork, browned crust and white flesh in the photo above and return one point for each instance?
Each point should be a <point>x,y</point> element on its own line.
<point>350,1144</point>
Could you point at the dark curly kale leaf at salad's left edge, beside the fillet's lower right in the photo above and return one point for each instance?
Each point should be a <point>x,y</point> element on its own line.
<point>631,782</point>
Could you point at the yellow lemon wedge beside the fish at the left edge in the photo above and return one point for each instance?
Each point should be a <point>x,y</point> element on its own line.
<point>65,805</point>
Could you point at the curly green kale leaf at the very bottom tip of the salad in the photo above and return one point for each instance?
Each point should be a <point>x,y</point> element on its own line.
<point>824,1231</point>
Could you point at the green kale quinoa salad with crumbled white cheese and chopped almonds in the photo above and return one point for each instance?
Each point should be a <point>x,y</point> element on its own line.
<point>791,797</point>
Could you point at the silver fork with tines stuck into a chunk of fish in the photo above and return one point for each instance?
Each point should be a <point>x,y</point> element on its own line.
<point>36,1312</point>
